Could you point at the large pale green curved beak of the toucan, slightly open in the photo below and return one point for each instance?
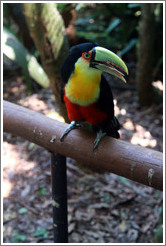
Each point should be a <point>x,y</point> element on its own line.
<point>107,61</point>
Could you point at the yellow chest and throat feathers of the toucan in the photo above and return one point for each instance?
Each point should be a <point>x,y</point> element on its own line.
<point>83,87</point>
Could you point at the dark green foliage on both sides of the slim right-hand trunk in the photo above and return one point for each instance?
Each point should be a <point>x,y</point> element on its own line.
<point>114,25</point>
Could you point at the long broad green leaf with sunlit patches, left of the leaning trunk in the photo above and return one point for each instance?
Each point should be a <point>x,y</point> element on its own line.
<point>15,50</point>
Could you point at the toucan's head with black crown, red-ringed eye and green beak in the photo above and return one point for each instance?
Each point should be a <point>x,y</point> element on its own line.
<point>94,56</point>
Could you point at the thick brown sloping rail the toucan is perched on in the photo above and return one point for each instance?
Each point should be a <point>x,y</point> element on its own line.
<point>133,162</point>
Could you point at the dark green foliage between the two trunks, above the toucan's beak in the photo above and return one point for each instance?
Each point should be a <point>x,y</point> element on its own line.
<point>111,24</point>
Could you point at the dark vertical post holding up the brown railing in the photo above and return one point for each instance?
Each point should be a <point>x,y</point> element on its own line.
<point>59,198</point>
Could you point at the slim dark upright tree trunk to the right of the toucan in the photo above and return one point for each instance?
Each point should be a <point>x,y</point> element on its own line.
<point>146,55</point>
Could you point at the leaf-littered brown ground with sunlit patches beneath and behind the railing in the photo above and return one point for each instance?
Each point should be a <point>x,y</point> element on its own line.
<point>102,208</point>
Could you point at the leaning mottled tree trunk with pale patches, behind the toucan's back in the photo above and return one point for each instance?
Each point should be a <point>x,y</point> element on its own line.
<point>47,31</point>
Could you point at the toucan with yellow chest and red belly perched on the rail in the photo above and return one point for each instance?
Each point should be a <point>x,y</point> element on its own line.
<point>85,91</point>
